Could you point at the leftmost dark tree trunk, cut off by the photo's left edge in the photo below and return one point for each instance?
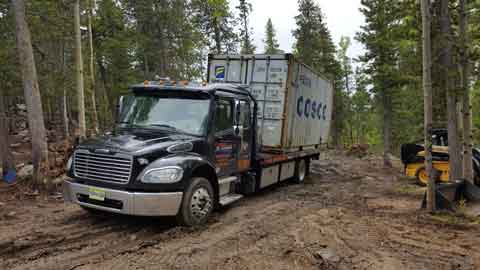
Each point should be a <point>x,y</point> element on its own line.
<point>6,156</point>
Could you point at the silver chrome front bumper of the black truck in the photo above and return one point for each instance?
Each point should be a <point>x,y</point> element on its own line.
<point>125,202</point>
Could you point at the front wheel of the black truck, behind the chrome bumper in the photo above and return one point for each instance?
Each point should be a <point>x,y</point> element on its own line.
<point>197,203</point>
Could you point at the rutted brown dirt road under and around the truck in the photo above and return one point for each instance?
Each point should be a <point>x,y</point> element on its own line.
<point>351,214</point>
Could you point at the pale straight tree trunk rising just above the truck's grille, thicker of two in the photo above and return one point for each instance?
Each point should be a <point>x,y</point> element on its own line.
<point>79,71</point>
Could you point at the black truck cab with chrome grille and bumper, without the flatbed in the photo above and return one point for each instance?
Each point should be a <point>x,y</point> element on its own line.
<point>175,151</point>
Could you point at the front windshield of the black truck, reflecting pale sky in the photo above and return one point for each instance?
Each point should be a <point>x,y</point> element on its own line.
<point>178,114</point>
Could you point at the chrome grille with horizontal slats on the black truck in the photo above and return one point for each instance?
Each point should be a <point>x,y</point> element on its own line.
<point>102,167</point>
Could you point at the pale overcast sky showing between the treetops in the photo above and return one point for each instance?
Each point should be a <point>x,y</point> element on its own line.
<point>343,19</point>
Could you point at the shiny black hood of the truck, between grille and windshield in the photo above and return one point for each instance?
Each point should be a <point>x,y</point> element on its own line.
<point>136,142</point>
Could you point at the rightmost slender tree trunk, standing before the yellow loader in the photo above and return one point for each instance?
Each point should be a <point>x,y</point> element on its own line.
<point>467,168</point>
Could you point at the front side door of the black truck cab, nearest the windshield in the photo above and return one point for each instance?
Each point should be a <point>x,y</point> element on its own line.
<point>226,142</point>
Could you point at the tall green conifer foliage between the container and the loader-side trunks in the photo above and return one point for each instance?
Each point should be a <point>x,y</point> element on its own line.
<point>392,63</point>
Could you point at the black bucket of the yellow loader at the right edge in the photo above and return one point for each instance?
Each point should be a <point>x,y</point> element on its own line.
<point>457,196</point>
